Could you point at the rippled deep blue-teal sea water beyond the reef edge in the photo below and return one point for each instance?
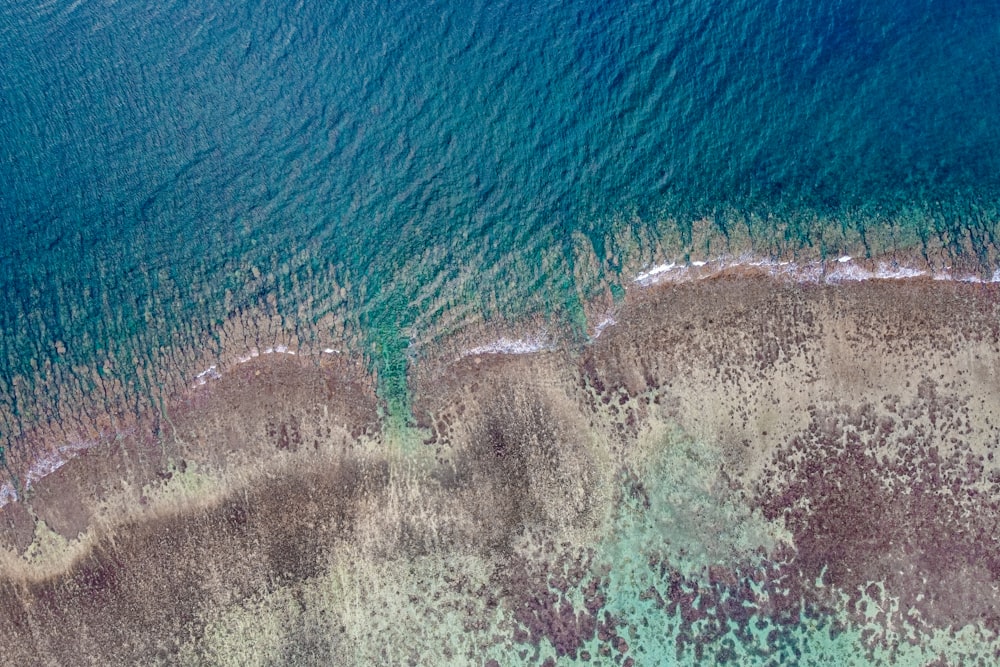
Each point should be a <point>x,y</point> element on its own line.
<point>425,153</point>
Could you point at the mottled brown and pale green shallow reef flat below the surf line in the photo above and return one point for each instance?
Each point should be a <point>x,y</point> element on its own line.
<point>738,470</point>
